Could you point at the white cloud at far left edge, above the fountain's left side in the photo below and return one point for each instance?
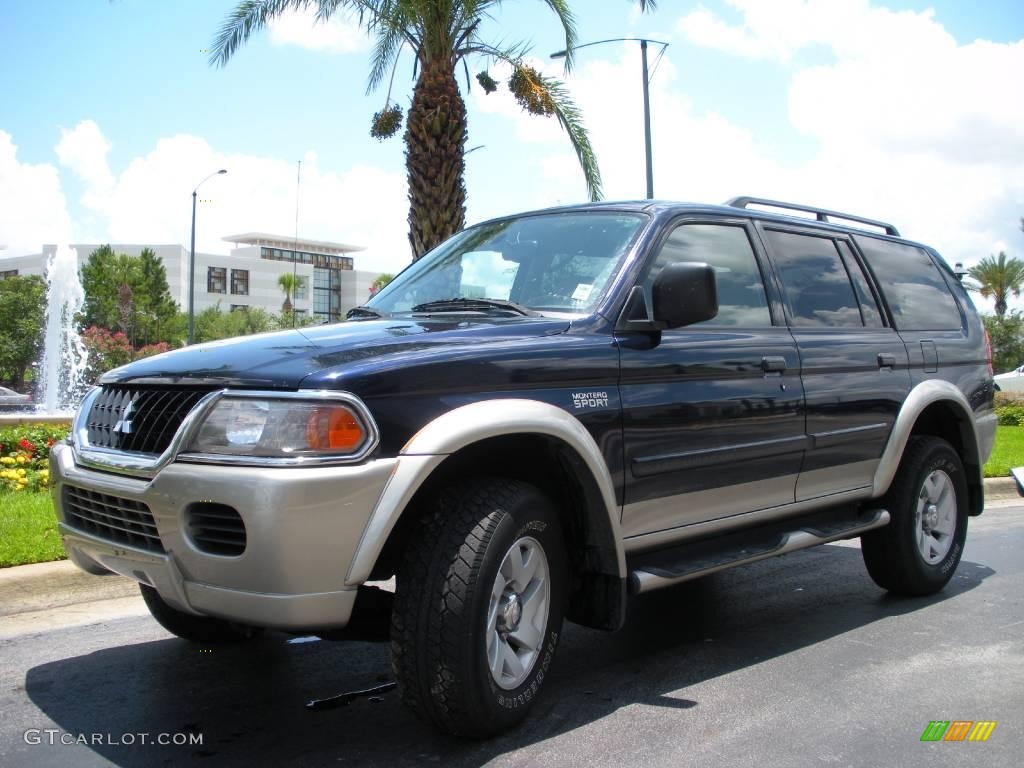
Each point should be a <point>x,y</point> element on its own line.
<point>33,209</point>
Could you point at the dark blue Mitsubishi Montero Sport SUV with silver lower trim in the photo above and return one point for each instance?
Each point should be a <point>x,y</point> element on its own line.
<point>545,415</point>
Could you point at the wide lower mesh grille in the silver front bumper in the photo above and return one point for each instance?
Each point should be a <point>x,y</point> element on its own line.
<point>113,519</point>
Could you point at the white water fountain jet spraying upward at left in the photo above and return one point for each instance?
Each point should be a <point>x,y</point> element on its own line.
<point>62,371</point>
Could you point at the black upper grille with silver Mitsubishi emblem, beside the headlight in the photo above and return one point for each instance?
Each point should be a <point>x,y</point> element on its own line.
<point>139,419</point>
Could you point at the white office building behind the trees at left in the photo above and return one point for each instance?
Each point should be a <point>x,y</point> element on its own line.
<point>247,277</point>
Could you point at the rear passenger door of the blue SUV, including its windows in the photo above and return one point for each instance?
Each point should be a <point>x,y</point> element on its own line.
<point>855,365</point>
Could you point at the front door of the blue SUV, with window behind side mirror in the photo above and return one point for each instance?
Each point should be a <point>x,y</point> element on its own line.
<point>713,413</point>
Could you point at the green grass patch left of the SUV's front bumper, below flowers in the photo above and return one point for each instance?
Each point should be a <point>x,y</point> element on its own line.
<point>28,530</point>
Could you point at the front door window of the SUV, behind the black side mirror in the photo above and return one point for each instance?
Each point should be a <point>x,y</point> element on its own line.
<point>742,300</point>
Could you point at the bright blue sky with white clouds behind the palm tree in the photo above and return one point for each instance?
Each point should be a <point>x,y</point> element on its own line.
<point>900,110</point>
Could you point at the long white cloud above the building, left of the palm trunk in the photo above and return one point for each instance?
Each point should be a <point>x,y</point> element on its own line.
<point>151,201</point>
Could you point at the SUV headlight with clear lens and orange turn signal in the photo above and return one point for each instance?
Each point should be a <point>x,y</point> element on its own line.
<point>283,429</point>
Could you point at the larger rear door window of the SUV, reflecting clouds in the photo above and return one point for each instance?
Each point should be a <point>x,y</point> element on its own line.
<point>815,280</point>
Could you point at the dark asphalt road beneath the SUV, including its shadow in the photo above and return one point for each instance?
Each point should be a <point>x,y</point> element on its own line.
<point>799,661</point>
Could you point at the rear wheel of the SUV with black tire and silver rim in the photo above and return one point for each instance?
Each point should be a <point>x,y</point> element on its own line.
<point>919,551</point>
